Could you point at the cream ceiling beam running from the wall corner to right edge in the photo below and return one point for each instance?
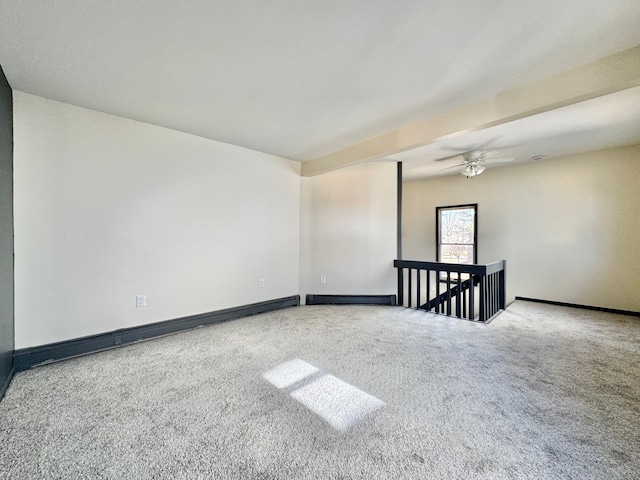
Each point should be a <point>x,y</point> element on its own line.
<point>603,77</point>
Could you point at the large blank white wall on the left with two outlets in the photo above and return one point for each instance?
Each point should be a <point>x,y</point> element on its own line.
<point>107,208</point>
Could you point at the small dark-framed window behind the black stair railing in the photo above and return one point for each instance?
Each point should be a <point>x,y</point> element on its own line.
<point>456,227</point>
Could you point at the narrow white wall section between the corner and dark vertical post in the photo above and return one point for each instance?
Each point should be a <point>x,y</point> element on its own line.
<point>348,231</point>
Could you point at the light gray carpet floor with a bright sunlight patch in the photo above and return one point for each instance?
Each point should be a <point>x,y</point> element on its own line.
<point>337,392</point>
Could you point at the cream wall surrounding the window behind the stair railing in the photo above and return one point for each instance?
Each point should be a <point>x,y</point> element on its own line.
<point>569,228</point>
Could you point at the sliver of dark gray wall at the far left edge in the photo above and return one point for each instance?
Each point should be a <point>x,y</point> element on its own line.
<point>6,230</point>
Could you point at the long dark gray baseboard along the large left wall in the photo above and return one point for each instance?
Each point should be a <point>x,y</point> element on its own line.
<point>26,358</point>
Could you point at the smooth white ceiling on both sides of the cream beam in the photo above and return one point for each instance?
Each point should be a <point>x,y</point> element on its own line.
<point>303,79</point>
